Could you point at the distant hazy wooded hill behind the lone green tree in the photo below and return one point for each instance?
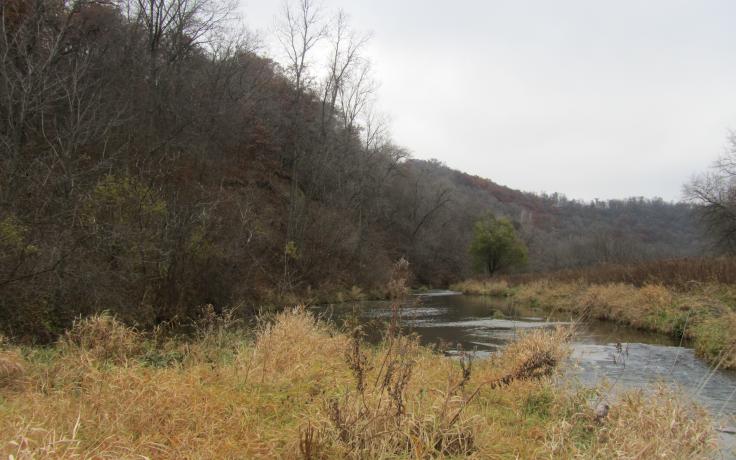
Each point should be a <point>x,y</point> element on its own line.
<point>560,233</point>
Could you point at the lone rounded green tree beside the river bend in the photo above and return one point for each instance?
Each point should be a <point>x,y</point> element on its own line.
<point>496,246</point>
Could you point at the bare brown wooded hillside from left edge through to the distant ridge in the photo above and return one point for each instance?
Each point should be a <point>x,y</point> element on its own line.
<point>153,159</point>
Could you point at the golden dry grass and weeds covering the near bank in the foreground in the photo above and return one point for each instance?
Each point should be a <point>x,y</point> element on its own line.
<point>298,388</point>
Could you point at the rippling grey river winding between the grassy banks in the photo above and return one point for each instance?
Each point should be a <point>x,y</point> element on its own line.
<point>624,357</point>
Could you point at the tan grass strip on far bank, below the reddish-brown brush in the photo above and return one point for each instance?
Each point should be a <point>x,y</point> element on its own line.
<point>703,313</point>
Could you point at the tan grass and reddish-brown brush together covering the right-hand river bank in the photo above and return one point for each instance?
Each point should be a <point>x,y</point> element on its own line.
<point>689,299</point>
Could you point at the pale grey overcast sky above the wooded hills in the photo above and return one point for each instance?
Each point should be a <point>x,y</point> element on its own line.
<point>593,99</point>
